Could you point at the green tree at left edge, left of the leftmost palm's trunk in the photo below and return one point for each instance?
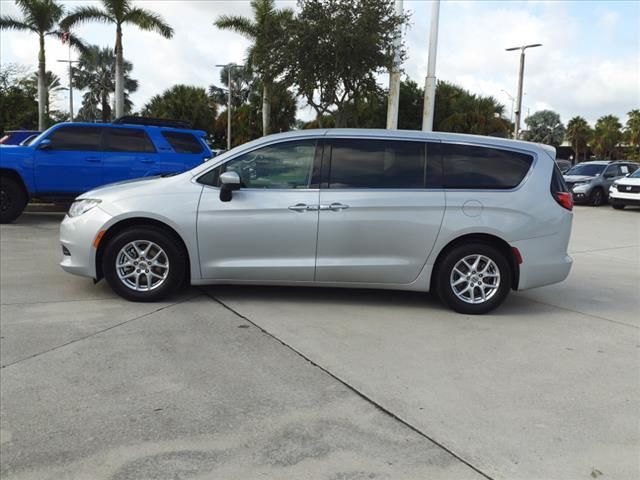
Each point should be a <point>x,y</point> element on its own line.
<point>18,106</point>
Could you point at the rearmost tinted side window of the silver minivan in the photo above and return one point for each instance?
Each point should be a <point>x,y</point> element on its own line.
<point>475,167</point>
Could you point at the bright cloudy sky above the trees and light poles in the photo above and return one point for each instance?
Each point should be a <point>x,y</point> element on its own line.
<point>589,63</point>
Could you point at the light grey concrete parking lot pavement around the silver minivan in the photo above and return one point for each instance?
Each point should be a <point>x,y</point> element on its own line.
<point>292,383</point>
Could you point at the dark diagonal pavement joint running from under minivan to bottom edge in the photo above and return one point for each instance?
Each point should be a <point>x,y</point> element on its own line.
<point>362,395</point>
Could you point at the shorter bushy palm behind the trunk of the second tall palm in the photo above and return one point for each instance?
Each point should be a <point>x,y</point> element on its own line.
<point>96,74</point>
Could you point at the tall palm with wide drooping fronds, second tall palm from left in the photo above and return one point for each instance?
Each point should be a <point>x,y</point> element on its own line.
<point>120,12</point>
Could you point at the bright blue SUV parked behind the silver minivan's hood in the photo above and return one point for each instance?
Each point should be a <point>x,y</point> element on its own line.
<point>71,158</point>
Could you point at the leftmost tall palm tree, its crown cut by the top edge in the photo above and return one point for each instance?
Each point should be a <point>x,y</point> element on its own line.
<point>40,17</point>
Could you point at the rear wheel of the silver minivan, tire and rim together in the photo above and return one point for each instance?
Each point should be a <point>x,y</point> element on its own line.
<point>473,278</point>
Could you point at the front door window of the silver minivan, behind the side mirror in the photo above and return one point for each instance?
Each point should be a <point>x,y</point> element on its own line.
<point>283,166</point>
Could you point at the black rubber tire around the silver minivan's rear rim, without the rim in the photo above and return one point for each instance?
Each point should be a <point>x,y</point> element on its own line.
<point>457,254</point>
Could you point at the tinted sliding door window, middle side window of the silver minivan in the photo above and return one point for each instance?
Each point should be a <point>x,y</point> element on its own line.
<point>377,164</point>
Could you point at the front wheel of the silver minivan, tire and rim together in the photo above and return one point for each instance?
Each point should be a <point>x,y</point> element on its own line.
<point>144,264</point>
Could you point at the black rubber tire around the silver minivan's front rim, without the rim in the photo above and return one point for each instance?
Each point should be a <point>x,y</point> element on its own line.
<point>173,252</point>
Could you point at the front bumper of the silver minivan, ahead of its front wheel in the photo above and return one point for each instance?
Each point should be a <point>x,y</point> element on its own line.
<point>77,235</point>
